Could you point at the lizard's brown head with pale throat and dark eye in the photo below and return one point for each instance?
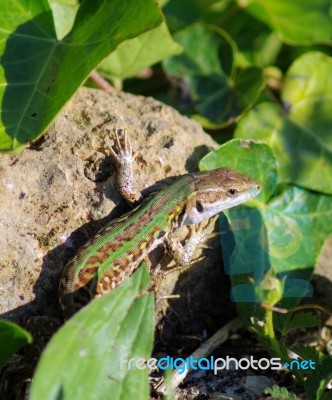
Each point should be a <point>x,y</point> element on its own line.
<point>218,190</point>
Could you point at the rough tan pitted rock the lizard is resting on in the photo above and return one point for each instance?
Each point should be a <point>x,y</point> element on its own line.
<point>60,191</point>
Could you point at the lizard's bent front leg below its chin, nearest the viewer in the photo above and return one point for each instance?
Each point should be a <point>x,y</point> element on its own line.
<point>183,255</point>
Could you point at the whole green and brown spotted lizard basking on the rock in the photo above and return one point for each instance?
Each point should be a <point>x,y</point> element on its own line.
<point>114,253</point>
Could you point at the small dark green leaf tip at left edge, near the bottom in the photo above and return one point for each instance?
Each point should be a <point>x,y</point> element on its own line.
<point>12,338</point>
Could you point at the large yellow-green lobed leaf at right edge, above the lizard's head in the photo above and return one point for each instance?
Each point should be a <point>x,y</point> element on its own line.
<point>301,137</point>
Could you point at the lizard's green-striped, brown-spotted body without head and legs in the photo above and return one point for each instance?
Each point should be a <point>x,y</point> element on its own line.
<point>118,249</point>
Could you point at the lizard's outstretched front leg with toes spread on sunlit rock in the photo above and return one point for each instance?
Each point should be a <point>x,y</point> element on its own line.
<point>123,157</point>
